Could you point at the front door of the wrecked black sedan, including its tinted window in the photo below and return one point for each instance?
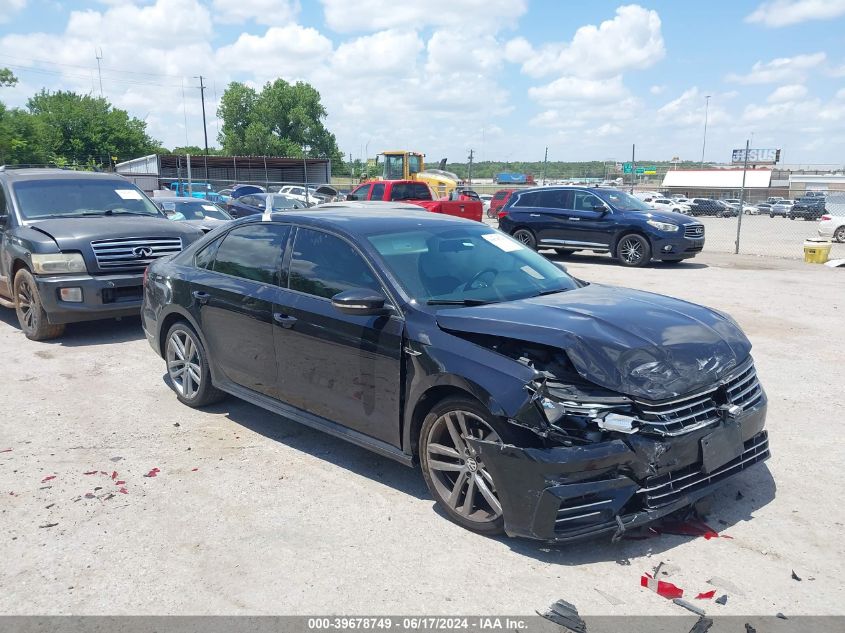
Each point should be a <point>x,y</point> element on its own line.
<point>345,368</point>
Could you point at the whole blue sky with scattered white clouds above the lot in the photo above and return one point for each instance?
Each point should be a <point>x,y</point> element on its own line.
<point>504,77</point>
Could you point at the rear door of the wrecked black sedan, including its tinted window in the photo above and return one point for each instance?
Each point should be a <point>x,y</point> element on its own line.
<point>233,301</point>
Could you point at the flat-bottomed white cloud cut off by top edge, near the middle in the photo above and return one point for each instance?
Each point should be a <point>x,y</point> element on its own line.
<point>375,15</point>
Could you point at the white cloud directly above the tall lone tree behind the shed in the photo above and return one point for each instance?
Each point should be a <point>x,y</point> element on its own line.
<point>290,51</point>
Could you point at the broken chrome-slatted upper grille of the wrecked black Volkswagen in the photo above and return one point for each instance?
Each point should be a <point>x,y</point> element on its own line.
<point>683,415</point>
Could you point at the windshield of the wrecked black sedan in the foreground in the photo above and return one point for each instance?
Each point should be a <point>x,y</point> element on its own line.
<point>467,265</point>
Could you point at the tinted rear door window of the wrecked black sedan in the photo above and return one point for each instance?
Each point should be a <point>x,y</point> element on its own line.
<point>253,252</point>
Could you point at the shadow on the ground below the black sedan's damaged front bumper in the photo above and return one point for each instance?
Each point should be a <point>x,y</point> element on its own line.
<point>731,505</point>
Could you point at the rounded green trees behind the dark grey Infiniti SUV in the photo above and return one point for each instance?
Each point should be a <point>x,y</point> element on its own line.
<point>88,129</point>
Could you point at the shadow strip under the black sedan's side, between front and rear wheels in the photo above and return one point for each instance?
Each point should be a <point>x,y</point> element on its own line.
<point>323,446</point>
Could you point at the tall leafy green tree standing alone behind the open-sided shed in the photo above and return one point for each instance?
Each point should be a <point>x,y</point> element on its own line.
<point>281,120</point>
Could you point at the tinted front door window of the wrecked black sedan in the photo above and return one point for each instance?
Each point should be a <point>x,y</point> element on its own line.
<point>324,265</point>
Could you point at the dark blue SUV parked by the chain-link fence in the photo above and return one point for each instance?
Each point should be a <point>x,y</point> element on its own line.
<point>570,219</point>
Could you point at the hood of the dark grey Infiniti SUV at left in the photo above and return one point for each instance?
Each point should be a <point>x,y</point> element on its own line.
<point>73,233</point>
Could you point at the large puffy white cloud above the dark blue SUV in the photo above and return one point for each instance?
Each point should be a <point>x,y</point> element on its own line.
<point>631,40</point>
